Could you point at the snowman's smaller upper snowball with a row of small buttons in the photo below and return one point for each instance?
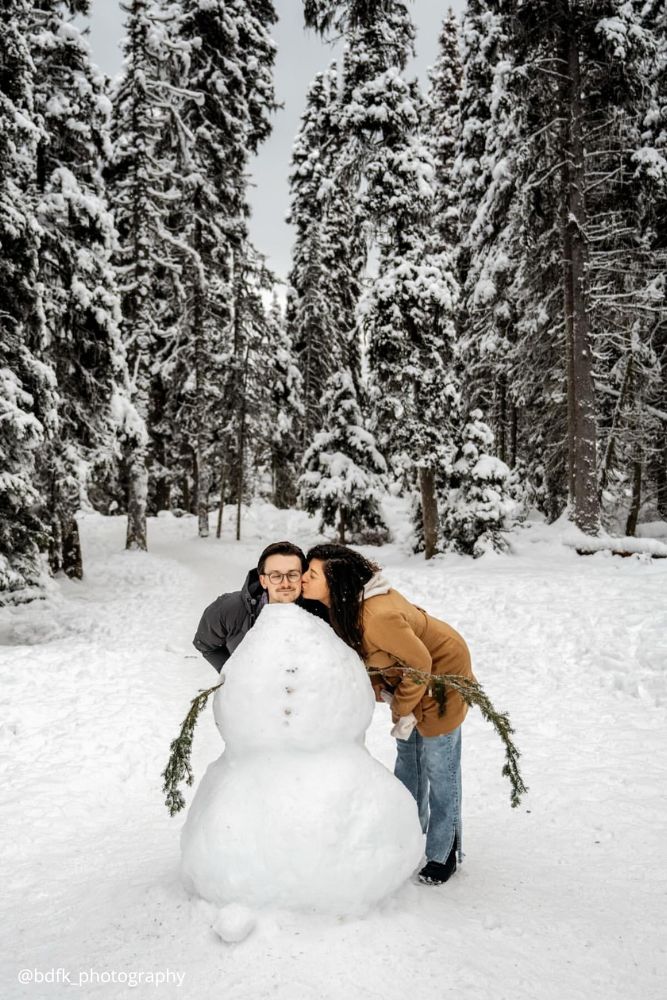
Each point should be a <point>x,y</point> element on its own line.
<point>292,683</point>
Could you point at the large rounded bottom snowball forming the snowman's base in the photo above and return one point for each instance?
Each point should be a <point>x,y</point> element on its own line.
<point>330,831</point>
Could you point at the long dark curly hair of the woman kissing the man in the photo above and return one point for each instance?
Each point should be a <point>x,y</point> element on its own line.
<point>346,572</point>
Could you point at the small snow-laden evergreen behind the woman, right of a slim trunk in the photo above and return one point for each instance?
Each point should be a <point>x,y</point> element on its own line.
<point>479,508</point>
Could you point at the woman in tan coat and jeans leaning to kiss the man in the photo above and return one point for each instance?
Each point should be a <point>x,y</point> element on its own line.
<point>390,633</point>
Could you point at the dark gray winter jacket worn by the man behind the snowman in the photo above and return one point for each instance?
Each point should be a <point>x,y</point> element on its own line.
<point>226,621</point>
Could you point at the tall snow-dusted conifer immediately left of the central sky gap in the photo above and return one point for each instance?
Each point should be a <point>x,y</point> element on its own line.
<point>226,98</point>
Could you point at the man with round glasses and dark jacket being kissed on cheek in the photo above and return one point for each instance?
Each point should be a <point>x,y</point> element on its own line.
<point>277,580</point>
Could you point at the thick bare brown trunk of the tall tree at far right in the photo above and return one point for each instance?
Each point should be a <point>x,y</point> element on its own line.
<point>581,394</point>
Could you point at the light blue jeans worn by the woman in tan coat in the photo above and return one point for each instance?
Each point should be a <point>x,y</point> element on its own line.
<point>430,769</point>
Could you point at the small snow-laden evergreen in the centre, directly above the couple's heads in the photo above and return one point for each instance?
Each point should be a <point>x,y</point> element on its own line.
<point>343,469</point>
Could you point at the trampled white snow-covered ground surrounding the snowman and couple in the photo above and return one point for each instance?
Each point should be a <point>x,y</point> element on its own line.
<point>564,897</point>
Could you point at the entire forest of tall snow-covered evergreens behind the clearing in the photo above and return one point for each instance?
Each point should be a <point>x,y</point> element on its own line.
<point>476,312</point>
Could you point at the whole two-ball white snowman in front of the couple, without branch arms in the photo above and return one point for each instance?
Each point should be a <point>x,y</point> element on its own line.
<point>296,814</point>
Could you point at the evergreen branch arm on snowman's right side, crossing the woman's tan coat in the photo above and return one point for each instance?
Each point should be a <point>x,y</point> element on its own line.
<point>473,693</point>
